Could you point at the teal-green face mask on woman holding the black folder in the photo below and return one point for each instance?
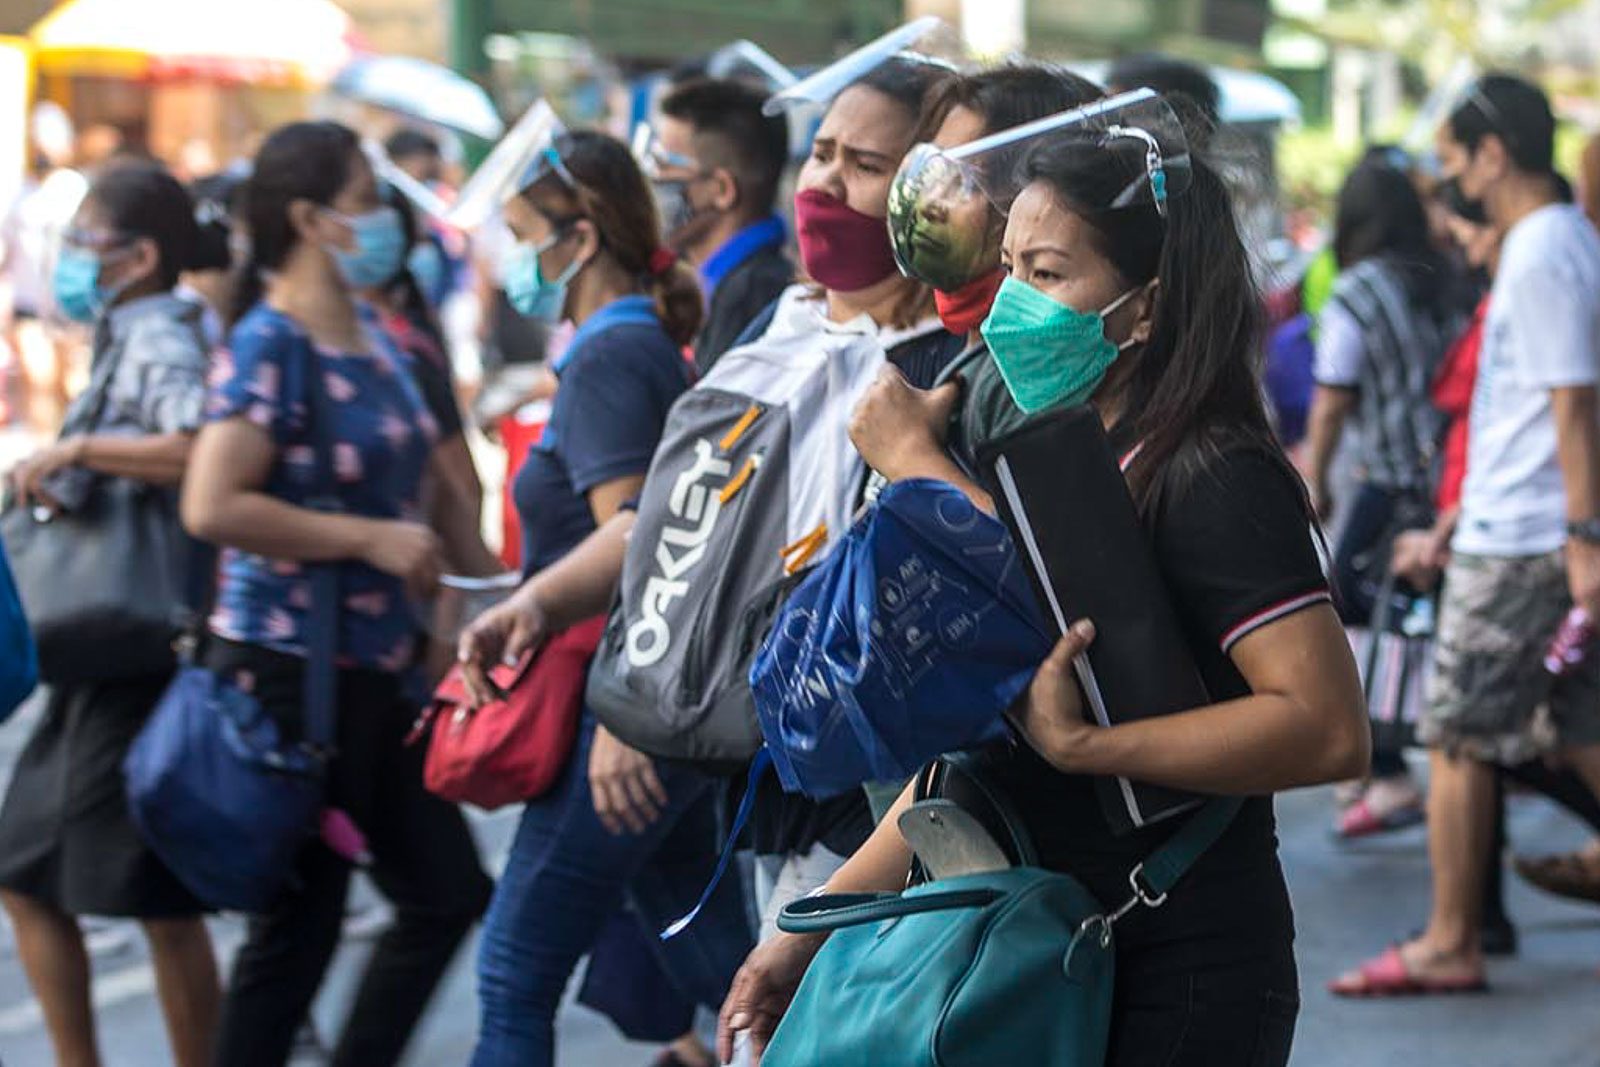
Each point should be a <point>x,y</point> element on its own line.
<point>1049,354</point>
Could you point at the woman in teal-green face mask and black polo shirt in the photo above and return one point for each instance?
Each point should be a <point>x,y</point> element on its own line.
<point>1145,308</point>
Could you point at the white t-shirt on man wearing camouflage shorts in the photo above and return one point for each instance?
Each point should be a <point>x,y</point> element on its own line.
<point>1542,334</point>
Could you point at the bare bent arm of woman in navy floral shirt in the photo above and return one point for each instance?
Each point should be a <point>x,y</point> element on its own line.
<point>223,503</point>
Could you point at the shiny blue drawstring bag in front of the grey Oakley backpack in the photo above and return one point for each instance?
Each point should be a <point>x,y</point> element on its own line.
<point>911,639</point>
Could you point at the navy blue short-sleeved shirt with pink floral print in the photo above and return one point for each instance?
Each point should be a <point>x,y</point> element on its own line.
<point>383,438</point>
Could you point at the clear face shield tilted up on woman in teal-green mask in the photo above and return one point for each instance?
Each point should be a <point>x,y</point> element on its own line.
<point>948,206</point>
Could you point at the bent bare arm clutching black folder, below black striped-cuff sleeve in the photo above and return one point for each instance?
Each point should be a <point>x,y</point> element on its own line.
<point>1305,722</point>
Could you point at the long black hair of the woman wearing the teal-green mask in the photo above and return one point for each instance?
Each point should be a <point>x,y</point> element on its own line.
<point>1196,386</point>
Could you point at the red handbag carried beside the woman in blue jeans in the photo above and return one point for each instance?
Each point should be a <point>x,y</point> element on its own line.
<point>510,751</point>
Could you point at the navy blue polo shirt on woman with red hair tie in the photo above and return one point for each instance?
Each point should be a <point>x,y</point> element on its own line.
<point>618,380</point>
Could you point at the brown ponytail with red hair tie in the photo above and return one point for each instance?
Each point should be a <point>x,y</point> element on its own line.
<point>614,194</point>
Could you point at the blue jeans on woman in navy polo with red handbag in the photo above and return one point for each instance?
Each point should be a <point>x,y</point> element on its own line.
<point>567,876</point>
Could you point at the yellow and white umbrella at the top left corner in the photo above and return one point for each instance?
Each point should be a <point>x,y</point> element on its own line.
<point>284,42</point>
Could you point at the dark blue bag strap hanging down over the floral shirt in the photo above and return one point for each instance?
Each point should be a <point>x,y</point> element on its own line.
<point>322,625</point>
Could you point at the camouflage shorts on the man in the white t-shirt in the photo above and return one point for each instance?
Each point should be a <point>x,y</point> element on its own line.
<point>1489,695</point>
